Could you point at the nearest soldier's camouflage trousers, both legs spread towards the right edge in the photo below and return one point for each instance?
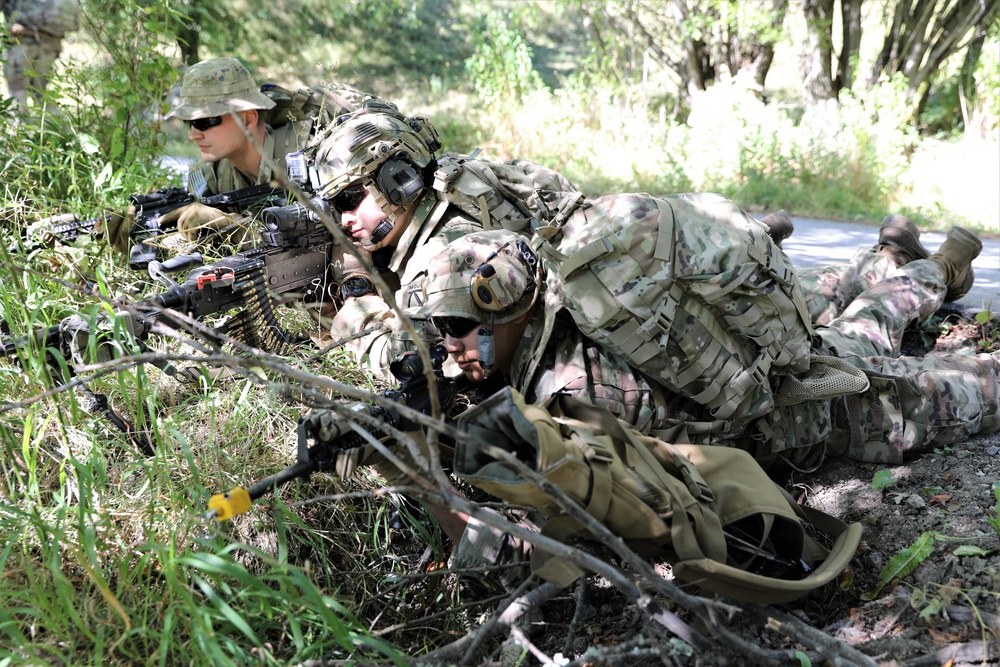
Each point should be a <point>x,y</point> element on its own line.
<point>912,404</point>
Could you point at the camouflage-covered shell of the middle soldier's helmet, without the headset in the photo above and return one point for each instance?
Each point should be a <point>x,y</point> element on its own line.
<point>357,145</point>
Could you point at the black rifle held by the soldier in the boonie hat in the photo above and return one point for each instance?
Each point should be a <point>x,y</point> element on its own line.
<point>149,207</point>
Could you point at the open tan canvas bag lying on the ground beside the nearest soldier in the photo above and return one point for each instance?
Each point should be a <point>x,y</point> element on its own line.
<point>711,511</point>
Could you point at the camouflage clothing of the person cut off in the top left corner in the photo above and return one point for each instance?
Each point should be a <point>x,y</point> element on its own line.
<point>37,28</point>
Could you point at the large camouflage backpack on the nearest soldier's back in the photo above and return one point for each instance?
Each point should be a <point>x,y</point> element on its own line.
<point>691,291</point>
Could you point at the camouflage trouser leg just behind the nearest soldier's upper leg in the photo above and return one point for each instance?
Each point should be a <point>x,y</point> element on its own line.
<point>830,289</point>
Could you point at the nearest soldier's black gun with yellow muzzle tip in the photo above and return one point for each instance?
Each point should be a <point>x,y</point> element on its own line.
<point>332,433</point>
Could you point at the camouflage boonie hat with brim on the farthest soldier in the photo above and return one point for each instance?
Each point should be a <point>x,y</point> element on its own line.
<point>217,86</point>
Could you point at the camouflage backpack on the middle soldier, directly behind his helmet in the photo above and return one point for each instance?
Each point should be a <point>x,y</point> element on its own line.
<point>519,195</point>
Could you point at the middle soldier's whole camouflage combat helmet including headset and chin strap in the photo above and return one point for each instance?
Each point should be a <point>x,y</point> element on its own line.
<point>379,147</point>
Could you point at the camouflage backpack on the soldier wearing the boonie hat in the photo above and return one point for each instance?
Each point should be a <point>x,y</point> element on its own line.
<point>319,104</point>
